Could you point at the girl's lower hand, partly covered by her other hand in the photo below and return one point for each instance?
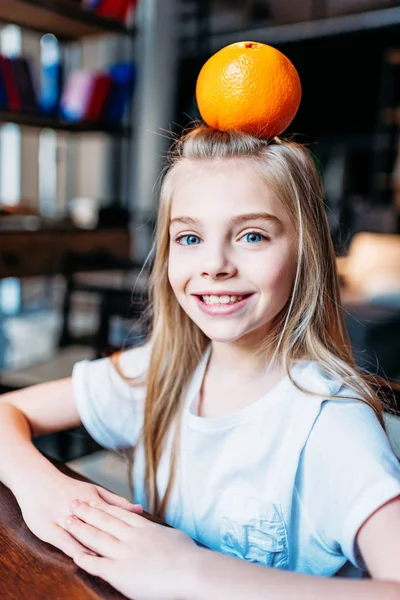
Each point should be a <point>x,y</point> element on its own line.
<point>46,505</point>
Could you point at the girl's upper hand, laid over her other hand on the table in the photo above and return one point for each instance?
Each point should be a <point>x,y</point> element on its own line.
<point>141,559</point>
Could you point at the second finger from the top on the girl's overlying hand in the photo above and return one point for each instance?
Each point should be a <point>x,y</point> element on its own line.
<point>102,543</point>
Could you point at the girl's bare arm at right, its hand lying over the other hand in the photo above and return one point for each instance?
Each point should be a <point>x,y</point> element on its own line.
<point>130,550</point>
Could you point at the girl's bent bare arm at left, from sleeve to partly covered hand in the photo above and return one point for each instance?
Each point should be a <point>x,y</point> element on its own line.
<point>42,492</point>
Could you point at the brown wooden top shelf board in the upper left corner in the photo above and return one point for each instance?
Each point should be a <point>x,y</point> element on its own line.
<point>64,18</point>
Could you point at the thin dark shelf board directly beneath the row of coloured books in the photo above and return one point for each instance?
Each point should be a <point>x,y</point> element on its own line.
<point>41,122</point>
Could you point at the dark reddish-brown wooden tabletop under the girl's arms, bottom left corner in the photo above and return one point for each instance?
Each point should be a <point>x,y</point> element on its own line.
<point>33,570</point>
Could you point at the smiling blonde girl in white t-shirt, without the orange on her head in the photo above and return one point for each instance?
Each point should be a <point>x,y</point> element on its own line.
<point>254,432</point>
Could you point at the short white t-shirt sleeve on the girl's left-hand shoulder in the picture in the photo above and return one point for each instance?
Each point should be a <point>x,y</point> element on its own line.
<point>110,408</point>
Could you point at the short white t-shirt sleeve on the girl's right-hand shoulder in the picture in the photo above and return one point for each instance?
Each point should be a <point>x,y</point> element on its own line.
<point>347,471</point>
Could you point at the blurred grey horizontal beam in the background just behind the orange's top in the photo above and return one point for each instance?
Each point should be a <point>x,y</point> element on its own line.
<point>383,19</point>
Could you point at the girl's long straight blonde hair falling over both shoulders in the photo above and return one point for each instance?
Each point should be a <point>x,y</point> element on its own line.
<point>310,327</point>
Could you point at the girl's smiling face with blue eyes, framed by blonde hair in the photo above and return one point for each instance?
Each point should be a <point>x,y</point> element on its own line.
<point>231,261</point>
